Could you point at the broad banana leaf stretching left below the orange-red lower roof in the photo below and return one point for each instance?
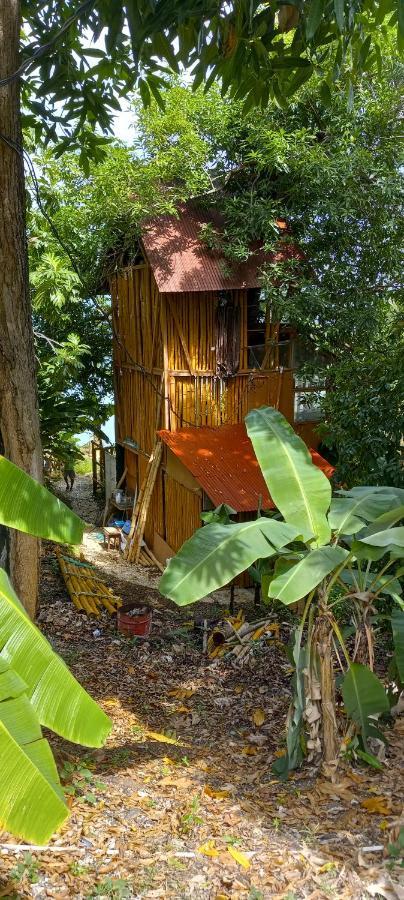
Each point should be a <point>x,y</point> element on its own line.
<point>216,553</point>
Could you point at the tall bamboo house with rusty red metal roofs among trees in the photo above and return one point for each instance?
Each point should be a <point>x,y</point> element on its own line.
<point>195,350</point>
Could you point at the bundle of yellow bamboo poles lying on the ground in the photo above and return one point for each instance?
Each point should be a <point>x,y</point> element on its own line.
<point>86,589</point>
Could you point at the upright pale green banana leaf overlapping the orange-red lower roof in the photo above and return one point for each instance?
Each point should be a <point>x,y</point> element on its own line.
<point>299,489</point>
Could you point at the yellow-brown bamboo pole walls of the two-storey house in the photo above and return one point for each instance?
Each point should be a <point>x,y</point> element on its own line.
<point>165,377</point>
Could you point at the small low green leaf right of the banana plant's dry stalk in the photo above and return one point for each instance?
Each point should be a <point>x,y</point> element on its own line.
<point>364,696</point>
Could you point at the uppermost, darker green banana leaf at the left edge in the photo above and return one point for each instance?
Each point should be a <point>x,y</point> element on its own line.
<point>27,506</point>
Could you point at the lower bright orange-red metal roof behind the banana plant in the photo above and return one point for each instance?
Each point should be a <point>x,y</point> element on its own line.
<point>224,463</point>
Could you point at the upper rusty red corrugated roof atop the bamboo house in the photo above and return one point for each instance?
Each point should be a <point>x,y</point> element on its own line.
<point>181,261</point>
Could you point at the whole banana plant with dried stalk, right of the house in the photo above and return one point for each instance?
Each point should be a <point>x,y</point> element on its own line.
<point>325,549</point>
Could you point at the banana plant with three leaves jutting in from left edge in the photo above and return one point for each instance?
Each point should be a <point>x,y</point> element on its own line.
<point>36,687</point>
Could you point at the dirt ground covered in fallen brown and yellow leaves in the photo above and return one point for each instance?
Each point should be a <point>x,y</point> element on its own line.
<point>181,803</point>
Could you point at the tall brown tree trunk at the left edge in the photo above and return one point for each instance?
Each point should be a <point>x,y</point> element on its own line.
<point>19,424</point>
